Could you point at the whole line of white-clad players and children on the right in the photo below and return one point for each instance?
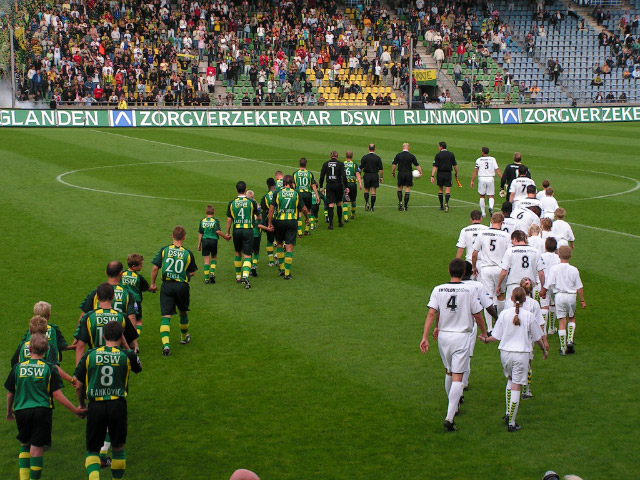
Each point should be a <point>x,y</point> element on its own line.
<point>506,273</point>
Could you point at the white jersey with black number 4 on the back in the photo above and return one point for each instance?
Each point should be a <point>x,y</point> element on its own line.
<point>456,303</point>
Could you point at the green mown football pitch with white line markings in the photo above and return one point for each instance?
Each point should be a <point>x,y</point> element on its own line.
<point>321,377</point>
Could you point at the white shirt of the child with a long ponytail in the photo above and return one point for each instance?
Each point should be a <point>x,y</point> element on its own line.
<point>516,338</point>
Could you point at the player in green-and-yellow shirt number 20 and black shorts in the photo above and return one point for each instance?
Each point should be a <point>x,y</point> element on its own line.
<point>176,265</point>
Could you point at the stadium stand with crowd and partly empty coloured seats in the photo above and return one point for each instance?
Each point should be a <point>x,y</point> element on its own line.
<point>320,53</point>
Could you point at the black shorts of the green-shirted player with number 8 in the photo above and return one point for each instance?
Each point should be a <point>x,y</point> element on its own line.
<point>111,416</point>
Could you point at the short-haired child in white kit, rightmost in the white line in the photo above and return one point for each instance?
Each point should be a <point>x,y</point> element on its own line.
<point>564,281</point>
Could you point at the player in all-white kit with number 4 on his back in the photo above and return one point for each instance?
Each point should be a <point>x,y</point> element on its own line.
<point>453,307</point>
